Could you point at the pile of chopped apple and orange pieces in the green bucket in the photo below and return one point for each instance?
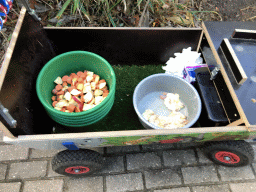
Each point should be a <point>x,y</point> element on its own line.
<point>78,92</point>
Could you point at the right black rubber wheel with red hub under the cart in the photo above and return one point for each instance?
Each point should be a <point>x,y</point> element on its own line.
<point>229,153</point>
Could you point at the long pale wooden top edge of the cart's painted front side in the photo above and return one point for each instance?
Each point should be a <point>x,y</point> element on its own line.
<point>128,133</point>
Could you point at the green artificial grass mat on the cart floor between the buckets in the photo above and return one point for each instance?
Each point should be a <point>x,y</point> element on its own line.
<point>122,115</point>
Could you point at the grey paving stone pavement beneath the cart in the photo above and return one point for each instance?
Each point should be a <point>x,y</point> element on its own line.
<point>147,168</point>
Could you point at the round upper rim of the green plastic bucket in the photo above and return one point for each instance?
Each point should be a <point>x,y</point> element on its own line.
<point>50,108</point>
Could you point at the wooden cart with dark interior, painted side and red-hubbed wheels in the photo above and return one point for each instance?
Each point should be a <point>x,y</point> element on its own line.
<point>227,90</point>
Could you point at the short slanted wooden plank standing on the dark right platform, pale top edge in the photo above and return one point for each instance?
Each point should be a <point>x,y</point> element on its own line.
<point>233,61</point>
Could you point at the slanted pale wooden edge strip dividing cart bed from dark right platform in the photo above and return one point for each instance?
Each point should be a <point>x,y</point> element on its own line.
<point>225,76</point>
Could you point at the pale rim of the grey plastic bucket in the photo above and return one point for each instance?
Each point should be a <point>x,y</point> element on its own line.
<point>166,74</point>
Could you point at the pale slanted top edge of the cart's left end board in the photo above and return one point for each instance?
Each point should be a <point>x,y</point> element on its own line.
<point>11,46</point>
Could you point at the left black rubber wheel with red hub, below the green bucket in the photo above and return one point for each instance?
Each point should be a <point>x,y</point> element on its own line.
<point>79,163</point>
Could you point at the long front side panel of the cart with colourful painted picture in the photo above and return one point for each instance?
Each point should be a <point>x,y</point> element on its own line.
<point>136,137</point>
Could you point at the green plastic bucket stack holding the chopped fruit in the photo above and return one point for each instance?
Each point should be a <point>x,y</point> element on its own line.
<point>72,62</point>
